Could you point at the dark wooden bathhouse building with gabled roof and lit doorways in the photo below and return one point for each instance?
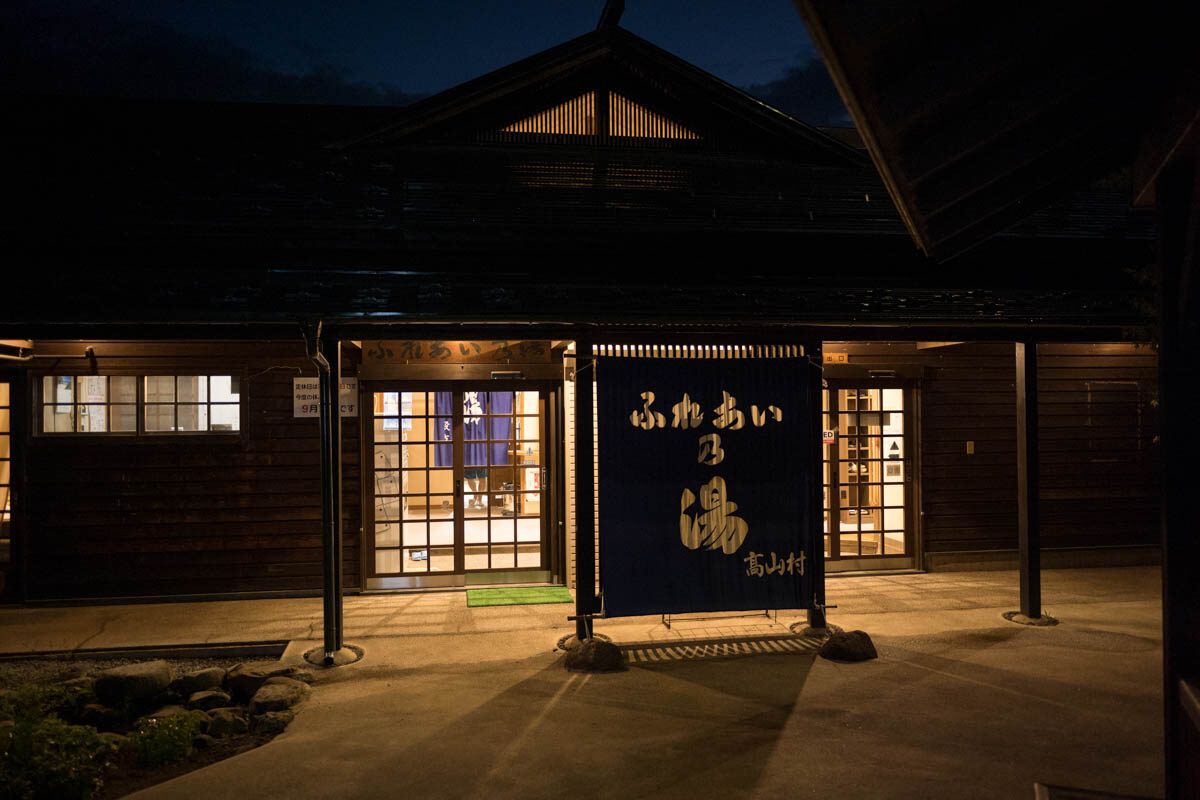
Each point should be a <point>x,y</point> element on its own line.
<point>176,262</point>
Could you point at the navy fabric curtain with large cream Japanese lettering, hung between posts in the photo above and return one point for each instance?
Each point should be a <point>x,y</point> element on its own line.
<point>704,485</point>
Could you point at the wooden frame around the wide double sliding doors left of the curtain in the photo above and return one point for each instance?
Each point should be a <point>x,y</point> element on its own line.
<point>549,424</point>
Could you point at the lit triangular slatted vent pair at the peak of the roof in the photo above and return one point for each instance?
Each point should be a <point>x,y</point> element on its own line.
<point>577,117</point>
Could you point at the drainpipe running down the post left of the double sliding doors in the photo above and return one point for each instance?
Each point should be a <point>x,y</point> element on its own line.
<point>331,484</point>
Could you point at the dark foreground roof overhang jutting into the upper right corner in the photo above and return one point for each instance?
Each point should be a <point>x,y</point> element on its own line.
<point>977,116</point>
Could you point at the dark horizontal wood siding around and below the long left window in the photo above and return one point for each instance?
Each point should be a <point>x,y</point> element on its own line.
<point>190,515</point>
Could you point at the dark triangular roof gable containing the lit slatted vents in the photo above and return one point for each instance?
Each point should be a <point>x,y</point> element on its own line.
<point>609,87</point>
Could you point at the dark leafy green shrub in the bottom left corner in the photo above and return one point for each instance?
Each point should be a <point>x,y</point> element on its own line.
<point>52,760</point>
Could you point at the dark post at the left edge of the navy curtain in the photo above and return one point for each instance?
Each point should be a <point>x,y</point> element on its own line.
<point>585,488</point>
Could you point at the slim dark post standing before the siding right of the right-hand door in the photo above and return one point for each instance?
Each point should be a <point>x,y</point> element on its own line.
<point>1028,514</point>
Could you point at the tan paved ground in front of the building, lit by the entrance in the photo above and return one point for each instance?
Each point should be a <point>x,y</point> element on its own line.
<point>453,702</point>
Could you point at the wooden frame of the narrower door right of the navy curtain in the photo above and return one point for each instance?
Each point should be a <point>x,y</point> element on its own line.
<point>914,545</point>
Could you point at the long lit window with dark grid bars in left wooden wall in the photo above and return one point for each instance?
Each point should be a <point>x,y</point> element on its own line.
<point>141,405</point>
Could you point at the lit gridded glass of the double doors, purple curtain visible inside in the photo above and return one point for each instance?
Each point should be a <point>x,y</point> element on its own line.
<point>458,478</point>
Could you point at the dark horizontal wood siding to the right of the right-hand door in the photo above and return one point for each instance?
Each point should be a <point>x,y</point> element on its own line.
<point>1100,477</point>
